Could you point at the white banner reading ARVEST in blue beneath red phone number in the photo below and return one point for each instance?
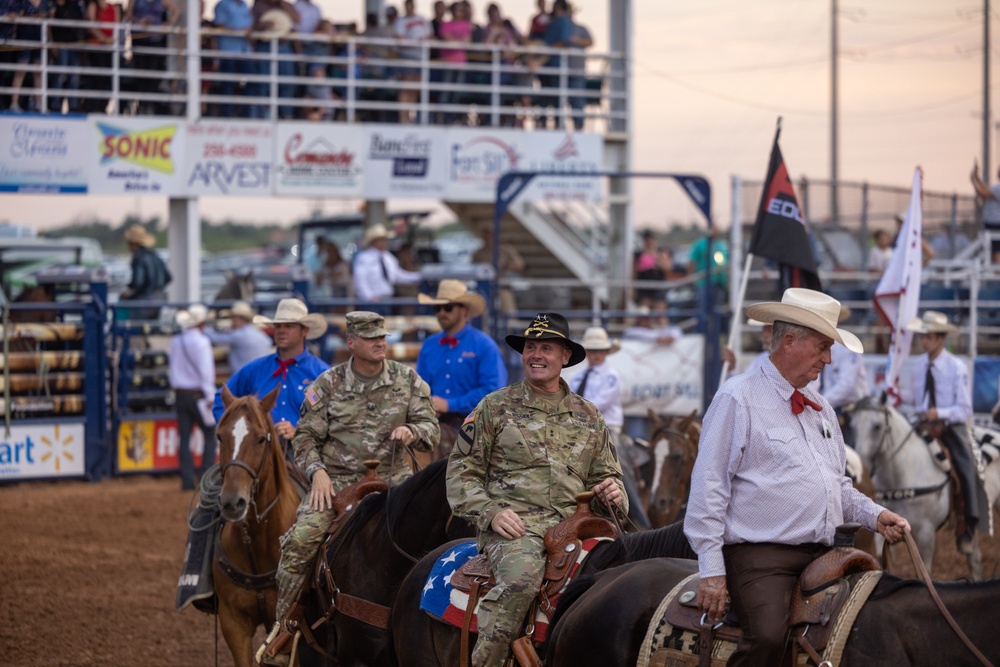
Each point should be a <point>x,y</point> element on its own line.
<point>229,158</point>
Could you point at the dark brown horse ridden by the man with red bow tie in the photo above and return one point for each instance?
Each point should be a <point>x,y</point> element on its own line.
<point>603,621</point>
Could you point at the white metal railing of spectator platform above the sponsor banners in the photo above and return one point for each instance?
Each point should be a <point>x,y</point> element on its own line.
<point>353,78</point>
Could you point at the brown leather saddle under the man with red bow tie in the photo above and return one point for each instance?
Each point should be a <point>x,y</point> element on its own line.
<point>816,602</point>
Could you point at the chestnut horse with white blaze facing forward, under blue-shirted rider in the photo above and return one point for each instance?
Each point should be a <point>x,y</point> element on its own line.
<point>258,505</point>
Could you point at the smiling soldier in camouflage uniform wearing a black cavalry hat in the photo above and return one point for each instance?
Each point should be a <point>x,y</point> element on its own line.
<point>520,459</point>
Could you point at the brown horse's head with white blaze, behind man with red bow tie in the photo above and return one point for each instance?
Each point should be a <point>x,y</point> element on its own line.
<point>673,448</point>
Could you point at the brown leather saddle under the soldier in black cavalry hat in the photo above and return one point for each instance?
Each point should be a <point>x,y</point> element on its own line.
<point>562,546</point>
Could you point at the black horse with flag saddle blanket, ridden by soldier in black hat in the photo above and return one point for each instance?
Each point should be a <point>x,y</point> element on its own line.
<point>421,641</point>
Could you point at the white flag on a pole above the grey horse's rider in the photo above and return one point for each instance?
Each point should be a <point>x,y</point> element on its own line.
<point>897,296</point>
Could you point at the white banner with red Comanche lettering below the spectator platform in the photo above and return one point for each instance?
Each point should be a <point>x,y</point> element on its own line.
<point>320,160</point>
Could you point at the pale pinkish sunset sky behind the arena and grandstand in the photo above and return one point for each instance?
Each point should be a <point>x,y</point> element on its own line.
<point>710,79</point>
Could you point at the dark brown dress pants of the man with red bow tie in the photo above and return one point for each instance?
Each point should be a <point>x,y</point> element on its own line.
<point>760,578</point>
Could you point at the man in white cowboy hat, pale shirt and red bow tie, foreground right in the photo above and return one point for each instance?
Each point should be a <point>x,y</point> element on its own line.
<point>768,488</point>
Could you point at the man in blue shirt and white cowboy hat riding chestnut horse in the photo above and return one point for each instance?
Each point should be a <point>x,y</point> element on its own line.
<point>292,365</point>
